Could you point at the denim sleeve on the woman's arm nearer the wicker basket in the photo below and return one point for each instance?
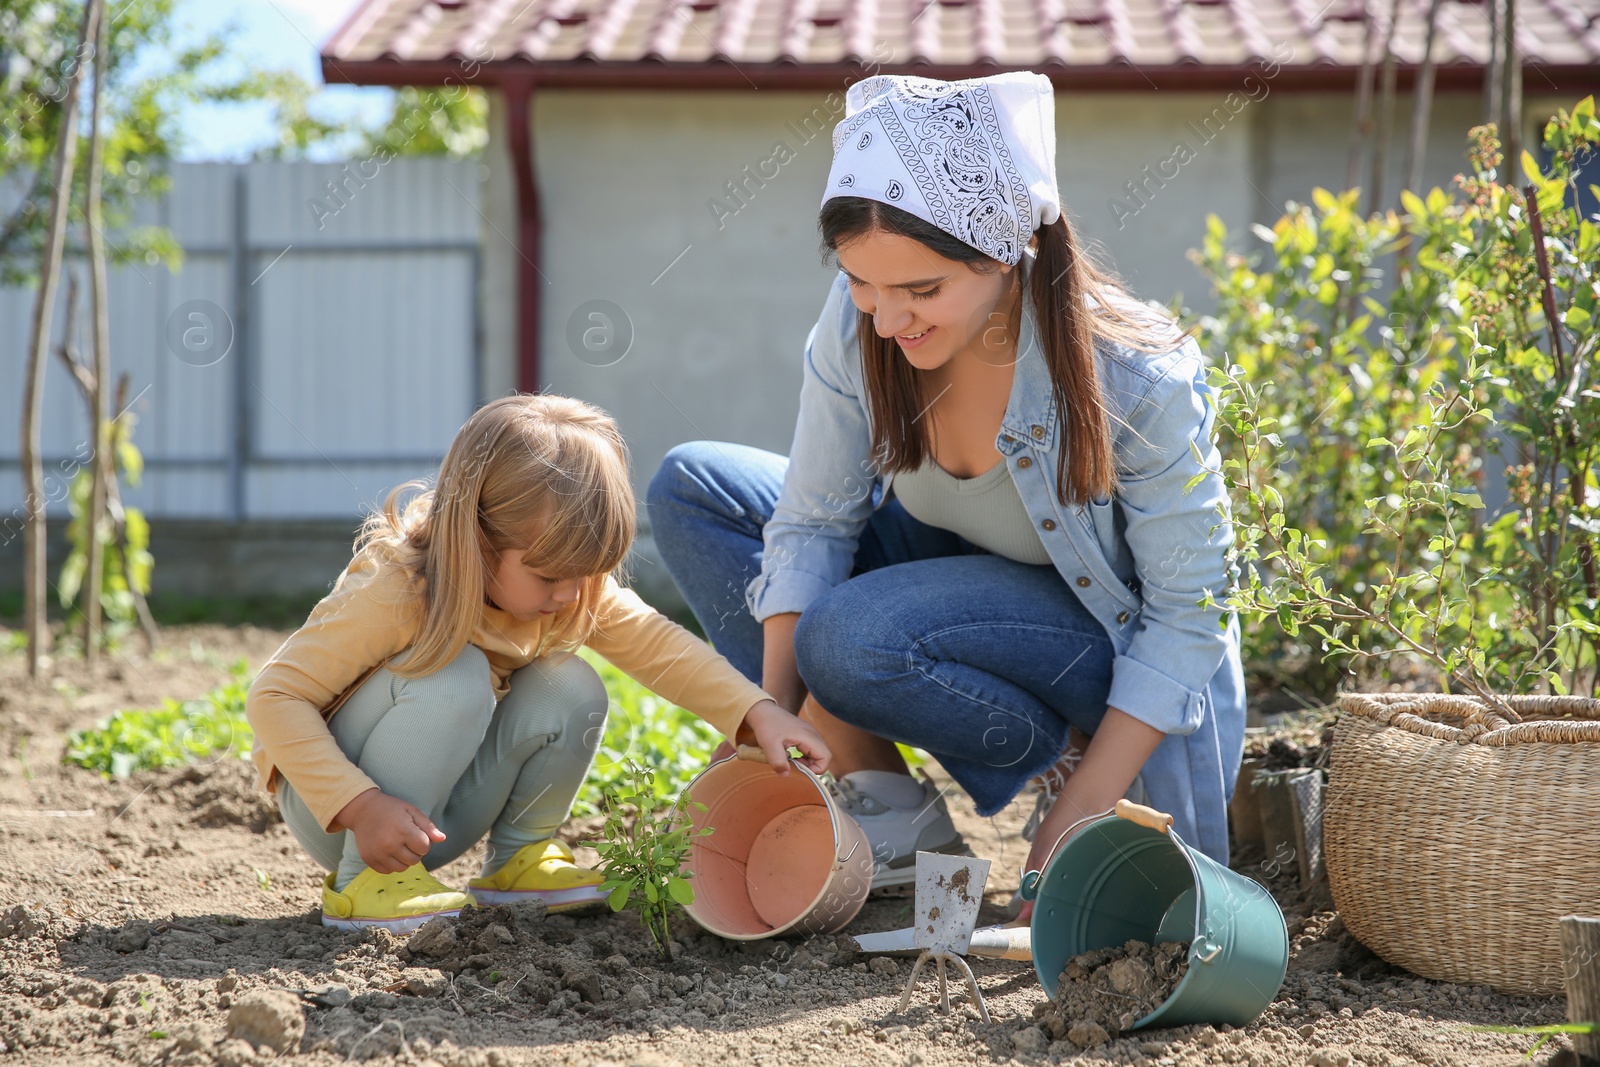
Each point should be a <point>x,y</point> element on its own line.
<point>1180,535</point>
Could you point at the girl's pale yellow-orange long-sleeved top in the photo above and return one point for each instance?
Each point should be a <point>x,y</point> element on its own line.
<point>375,612</point>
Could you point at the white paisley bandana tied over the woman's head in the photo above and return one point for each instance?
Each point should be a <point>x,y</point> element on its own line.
<point>975,158</point>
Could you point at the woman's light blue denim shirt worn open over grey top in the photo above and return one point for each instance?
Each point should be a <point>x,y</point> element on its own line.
<point>1140,562</point>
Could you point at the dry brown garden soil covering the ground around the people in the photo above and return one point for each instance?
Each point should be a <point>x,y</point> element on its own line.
<point>172,921</point>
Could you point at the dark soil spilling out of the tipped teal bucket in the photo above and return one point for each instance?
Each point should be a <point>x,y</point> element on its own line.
<point>1105,993</point>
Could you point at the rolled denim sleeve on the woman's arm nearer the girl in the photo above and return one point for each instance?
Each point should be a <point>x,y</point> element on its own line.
<point>810,541</point>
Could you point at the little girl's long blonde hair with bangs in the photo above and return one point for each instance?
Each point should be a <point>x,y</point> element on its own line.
<point>540,468</point>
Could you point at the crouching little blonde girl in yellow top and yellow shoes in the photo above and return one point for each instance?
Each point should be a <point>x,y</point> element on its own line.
<point>434,695</point>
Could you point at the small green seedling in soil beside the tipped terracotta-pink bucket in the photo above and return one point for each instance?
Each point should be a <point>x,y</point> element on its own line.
<point>642,860</point>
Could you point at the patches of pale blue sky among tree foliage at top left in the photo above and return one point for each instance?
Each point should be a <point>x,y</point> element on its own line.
<point>273,34</point>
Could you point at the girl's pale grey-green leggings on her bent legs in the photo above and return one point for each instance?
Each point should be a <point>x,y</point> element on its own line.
<point>474,767</point>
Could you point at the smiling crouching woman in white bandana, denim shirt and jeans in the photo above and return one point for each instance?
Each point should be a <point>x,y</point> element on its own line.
<point>999,532</point>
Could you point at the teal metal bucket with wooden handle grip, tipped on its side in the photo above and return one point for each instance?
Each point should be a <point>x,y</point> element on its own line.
<point>1132,879</point>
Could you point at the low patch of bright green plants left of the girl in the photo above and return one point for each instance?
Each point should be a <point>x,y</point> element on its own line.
<point>172,735</point>
